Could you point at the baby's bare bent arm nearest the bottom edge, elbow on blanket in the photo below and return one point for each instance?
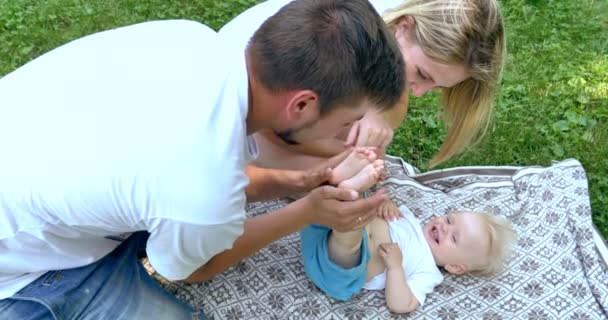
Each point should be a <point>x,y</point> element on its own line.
<point>399,296</point>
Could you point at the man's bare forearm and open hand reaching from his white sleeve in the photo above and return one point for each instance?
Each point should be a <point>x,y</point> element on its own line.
<point>334,207</point>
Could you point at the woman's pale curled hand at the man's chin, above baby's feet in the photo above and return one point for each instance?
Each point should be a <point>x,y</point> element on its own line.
<point>371,131</point>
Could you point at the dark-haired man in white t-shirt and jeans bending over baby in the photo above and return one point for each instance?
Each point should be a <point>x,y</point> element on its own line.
<point>146,130</point>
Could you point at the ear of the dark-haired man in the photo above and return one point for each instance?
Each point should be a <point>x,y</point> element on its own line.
<point>302,106</point>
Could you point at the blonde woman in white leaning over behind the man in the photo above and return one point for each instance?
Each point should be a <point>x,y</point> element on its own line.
<point>456,46</point>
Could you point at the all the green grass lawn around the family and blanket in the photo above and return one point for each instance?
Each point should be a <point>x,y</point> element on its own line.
<point>552,105</point>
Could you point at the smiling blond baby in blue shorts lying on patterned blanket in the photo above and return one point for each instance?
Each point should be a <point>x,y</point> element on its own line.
<point>342,263</point>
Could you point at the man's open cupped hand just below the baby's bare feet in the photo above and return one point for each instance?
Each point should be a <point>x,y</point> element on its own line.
<point>341,209</point>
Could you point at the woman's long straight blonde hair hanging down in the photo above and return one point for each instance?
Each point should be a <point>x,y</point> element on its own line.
<point>468,32</point>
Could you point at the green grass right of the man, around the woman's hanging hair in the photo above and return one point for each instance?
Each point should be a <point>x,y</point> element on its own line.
<point>553,100</point>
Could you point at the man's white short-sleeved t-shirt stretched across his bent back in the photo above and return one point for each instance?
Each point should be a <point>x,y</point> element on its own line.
<point>137,128</point>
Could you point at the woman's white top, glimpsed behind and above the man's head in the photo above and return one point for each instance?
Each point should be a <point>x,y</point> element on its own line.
<point>240,29</point>
